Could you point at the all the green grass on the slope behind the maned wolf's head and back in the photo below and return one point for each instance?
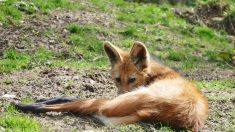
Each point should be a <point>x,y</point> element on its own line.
<point>179,42</point>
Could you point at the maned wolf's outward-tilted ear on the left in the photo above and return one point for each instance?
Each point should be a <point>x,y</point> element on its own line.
<point>112,52</point>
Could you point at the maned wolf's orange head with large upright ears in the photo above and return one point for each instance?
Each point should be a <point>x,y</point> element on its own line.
<point>129,69</point>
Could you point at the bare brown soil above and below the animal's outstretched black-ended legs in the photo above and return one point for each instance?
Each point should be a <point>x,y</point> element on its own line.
<point>39,83</point>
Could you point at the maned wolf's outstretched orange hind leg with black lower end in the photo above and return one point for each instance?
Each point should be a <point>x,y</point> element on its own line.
<point>122,109</point>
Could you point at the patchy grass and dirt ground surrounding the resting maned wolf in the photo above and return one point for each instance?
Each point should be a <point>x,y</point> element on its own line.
<point>58,51</point>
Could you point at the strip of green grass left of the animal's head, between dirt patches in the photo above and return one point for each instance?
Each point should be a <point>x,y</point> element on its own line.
<point>93,57</point>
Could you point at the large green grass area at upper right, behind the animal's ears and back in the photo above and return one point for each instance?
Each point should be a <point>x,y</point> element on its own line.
<point>159,28</point>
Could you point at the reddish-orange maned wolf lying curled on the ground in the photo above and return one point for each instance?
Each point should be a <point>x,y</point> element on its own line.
<point>151,92</point>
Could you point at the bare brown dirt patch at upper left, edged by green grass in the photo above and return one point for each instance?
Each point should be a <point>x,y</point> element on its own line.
<point>50,30</point>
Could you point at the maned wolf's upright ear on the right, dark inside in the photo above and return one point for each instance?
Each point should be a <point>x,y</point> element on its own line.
<point>139,55</point>
